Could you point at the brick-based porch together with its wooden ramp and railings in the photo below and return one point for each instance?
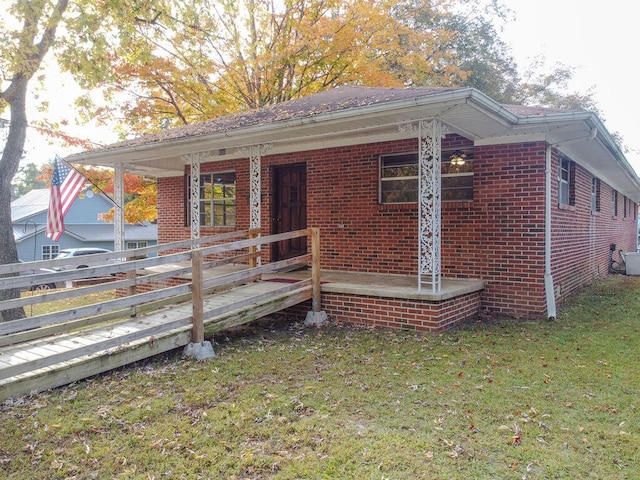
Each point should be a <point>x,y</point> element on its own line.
<point>172,300</point>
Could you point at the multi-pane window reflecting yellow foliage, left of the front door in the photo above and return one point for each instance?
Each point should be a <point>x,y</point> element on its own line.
<point>217,199</point>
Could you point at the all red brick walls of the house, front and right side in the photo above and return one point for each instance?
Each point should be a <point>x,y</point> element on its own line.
<point>498,237</point>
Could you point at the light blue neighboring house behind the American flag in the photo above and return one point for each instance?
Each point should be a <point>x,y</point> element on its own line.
<point>82,227</point>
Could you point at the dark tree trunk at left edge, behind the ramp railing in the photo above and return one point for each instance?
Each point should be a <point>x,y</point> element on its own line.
<point>11,155</point>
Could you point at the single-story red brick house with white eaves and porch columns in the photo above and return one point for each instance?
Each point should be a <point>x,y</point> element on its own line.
<point>466,205</point>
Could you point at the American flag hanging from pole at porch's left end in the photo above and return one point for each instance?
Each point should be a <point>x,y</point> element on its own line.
<point>65,185</point>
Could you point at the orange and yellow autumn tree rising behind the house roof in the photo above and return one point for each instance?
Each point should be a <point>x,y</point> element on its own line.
<point>186,62</point>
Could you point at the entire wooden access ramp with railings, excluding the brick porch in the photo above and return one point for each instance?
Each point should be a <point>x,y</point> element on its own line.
<point>55,349</point>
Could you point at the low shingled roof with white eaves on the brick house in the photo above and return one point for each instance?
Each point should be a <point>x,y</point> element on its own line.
<point>352,115</point>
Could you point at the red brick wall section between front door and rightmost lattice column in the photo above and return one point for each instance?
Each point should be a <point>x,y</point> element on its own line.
<point>356,232</point>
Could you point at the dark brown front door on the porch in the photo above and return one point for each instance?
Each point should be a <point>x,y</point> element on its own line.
<point>289,209</point>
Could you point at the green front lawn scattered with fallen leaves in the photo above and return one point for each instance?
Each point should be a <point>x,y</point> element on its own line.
<point>491,400</point>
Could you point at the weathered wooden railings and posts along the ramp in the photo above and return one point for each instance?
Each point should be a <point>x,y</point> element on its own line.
<point>134,275</point>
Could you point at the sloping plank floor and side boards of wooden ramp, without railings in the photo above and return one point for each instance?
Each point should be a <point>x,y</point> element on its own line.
<point>64,358</point>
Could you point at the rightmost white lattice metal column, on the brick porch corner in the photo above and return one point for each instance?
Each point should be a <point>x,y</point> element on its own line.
<point>430,135</point>
